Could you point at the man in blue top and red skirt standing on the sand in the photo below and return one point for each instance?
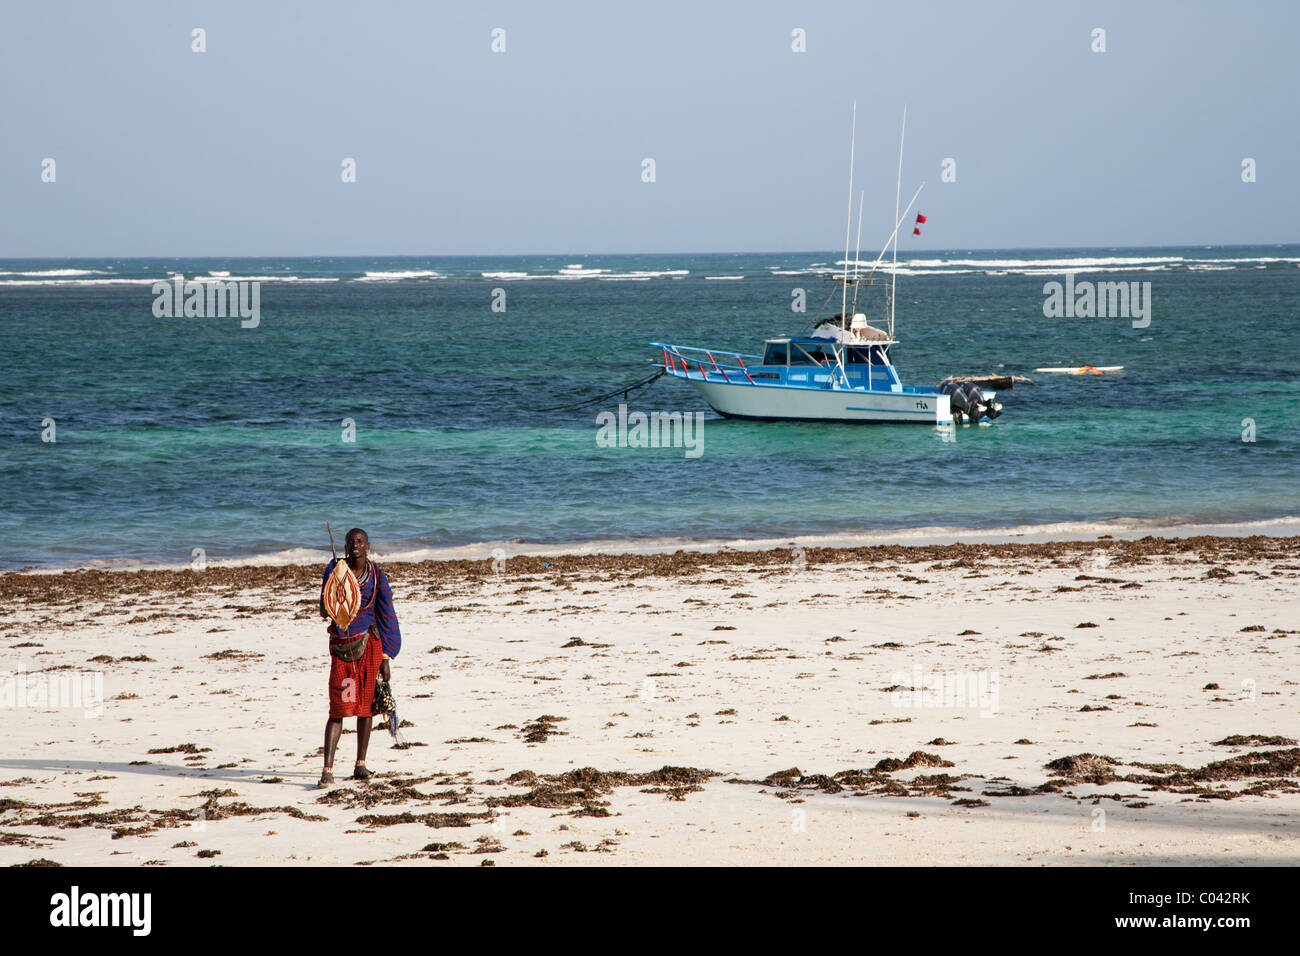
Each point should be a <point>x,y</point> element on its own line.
<point>352,685</point>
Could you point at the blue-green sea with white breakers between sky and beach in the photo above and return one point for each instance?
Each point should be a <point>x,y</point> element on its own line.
<point>180,434</point>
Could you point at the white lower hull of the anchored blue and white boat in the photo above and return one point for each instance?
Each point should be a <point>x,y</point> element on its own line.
<point>777,404</point>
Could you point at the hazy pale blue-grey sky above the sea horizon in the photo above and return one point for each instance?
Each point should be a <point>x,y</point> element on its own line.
<point>162,152</point>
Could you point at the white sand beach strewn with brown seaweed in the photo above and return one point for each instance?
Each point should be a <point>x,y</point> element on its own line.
<point>752,681</point>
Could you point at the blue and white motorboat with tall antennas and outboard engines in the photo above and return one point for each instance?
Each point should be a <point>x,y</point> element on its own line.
<point>839,373</point>
